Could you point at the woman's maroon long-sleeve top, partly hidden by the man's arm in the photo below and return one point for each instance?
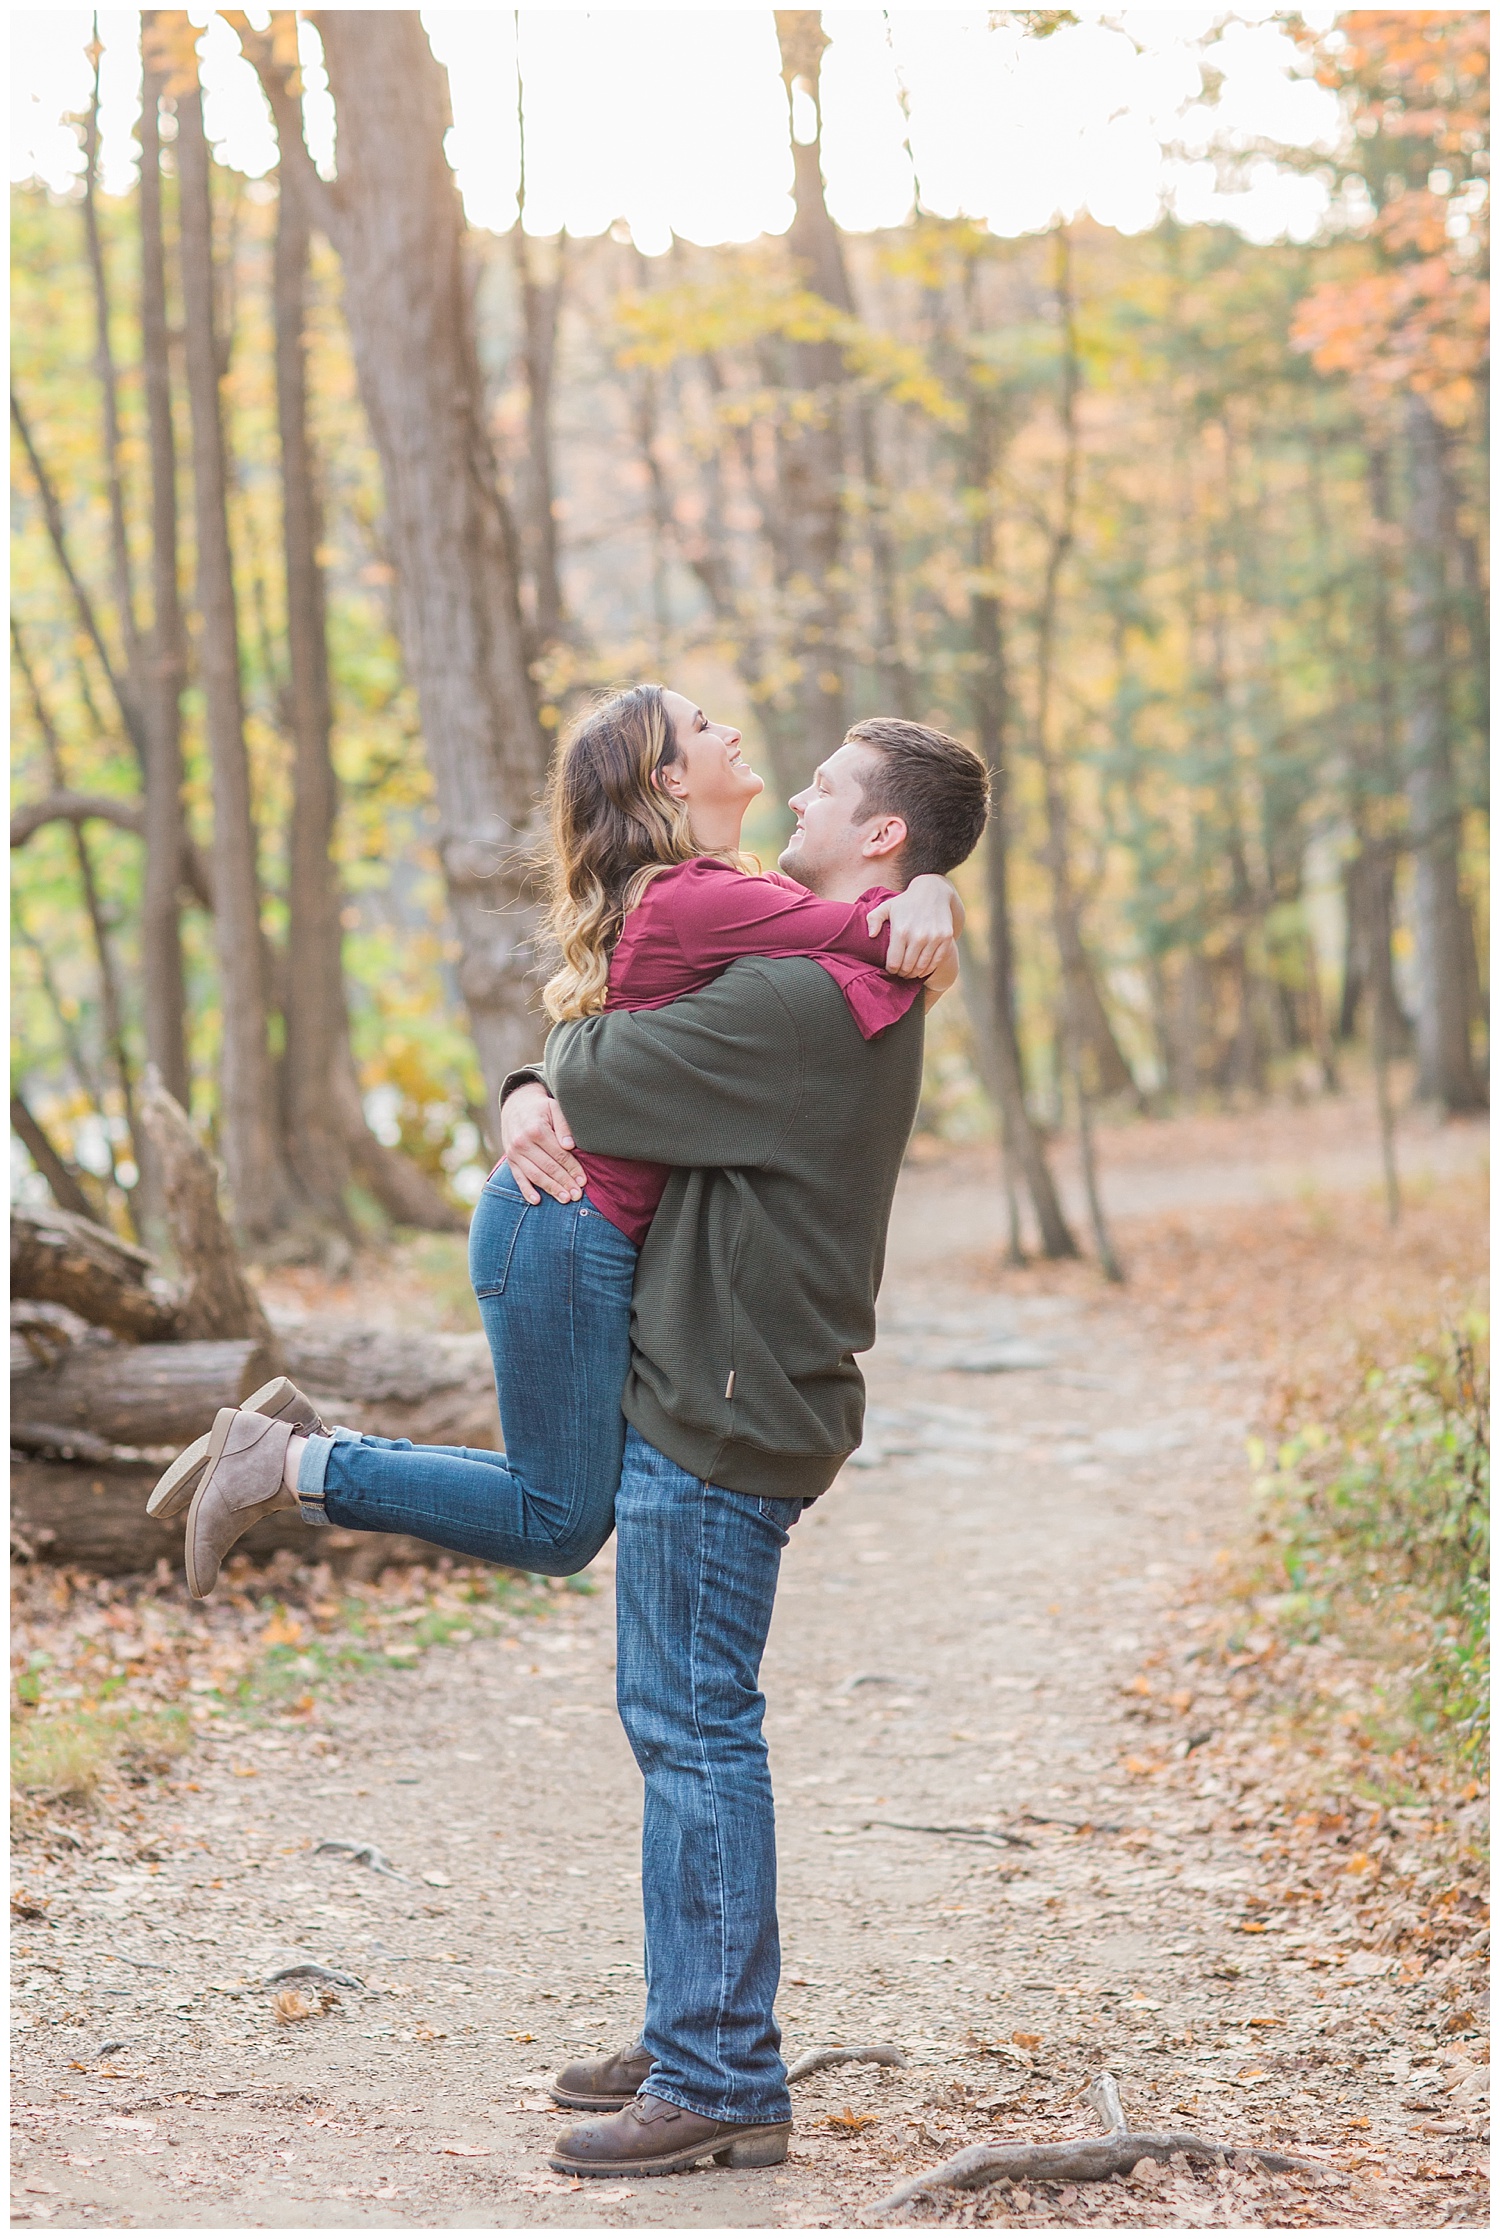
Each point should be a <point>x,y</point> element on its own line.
<point>688,928</point>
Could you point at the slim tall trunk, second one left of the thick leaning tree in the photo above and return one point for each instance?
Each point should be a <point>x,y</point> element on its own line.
<point>247,1103</point>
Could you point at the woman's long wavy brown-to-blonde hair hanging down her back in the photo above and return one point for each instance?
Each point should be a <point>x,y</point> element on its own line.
<point>612,832</point>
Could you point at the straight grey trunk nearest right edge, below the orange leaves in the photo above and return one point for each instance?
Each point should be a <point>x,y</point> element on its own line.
<point>1445,1065</point>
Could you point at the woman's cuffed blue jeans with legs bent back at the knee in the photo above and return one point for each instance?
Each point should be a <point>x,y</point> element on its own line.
<point>554,1286</point>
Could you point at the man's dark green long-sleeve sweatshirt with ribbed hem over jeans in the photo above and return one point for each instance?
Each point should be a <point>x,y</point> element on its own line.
<point>758,1280</point>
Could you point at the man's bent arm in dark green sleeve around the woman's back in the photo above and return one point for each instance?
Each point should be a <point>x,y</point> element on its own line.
<point>711,1080</point>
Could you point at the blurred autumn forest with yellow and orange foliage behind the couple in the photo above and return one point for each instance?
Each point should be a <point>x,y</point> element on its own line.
<point>330,512</point>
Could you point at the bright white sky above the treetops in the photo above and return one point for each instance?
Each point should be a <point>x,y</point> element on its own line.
<point>675,120</point>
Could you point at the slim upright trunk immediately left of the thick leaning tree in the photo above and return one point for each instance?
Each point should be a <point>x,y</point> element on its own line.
<point>315,939</point>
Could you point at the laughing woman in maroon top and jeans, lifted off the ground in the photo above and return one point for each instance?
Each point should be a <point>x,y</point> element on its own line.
<point>648,901</point>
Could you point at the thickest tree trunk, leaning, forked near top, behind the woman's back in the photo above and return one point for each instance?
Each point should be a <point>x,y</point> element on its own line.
<point>397,225</point>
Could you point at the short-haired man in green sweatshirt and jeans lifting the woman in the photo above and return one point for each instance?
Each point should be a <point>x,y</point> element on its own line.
<point>753,1295</point>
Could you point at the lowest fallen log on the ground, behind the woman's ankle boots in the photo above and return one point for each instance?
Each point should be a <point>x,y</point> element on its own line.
<point>95,1519</point>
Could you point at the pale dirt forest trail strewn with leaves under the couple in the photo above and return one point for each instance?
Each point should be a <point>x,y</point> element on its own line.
<point>957,1647</point>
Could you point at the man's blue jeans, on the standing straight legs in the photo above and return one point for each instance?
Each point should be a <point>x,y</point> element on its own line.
<point>695,1586</point>
